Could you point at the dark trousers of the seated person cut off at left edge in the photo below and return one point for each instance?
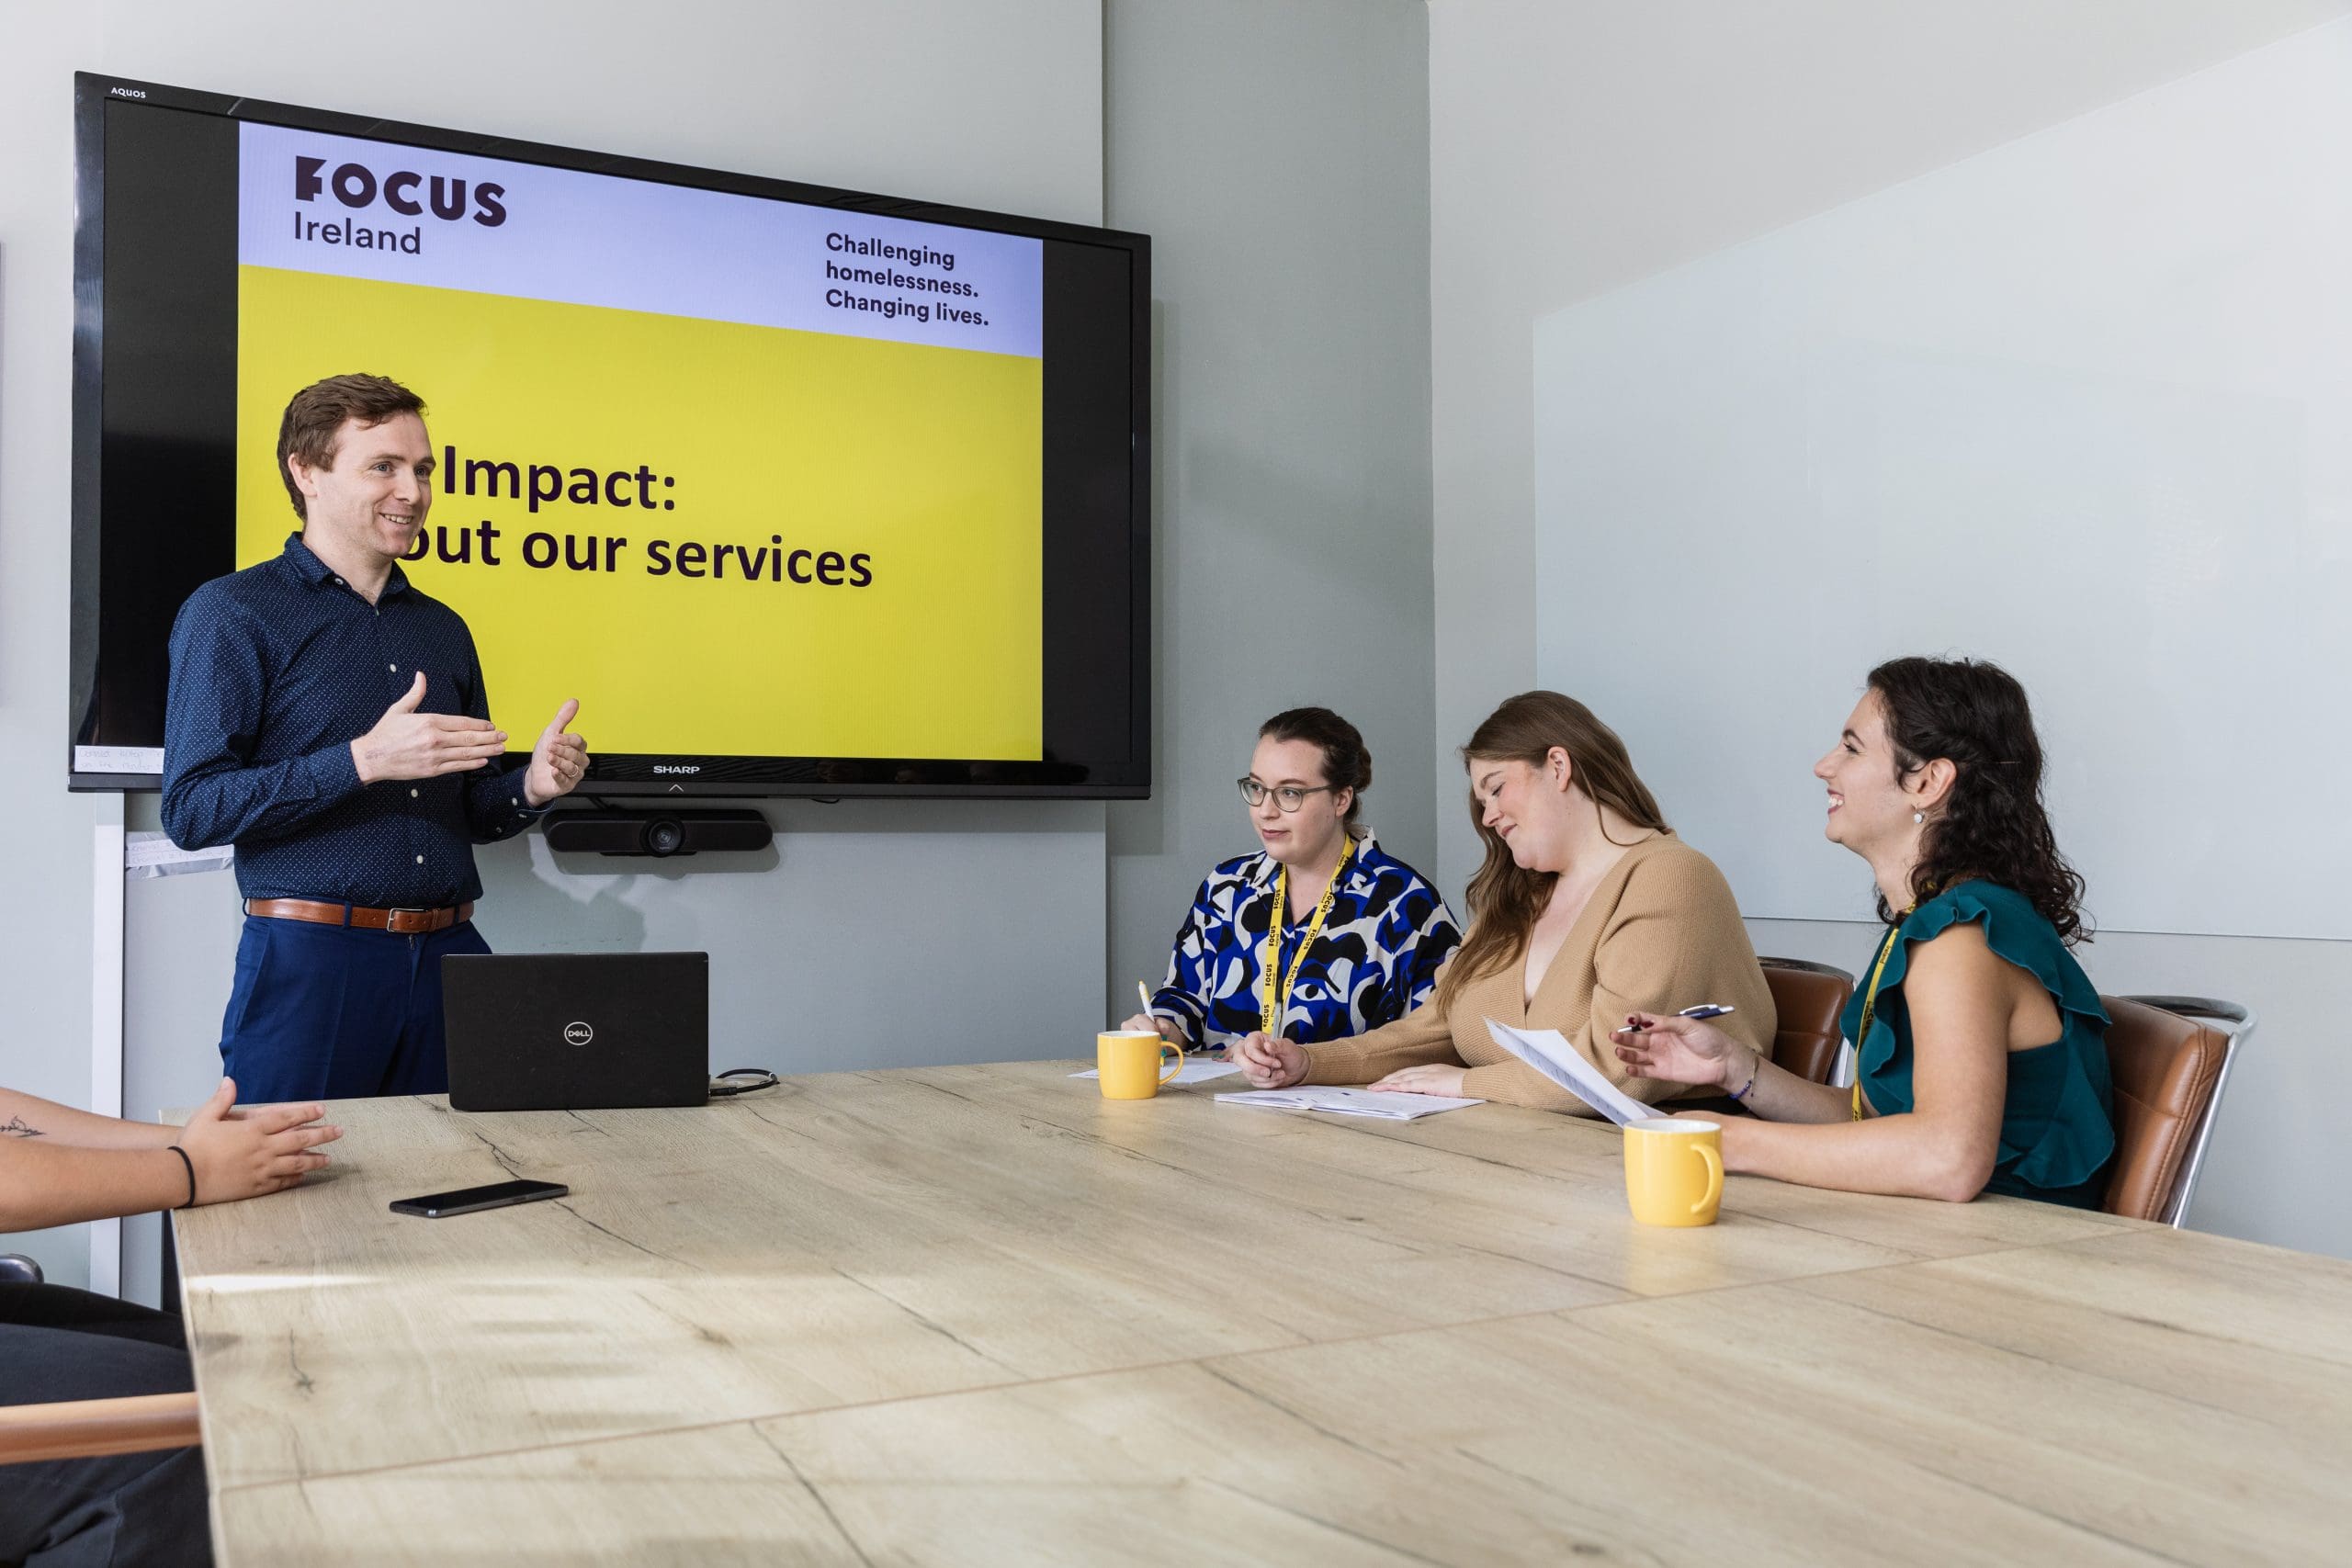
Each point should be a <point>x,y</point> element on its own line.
<point>116,1510</point>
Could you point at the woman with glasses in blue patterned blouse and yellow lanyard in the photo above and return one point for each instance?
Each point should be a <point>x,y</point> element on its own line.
<point>1316,937</point>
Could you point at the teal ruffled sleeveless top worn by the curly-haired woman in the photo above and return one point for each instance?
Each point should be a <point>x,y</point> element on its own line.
<point>2059,1115</point>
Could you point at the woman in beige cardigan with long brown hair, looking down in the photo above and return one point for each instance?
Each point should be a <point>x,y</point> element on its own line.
<point>1589,909</point>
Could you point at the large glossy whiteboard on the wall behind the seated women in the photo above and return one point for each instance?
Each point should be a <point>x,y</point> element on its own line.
<point>2080,406</point>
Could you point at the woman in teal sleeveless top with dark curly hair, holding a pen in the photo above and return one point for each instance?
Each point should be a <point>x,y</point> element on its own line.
<point>1984,1061</point>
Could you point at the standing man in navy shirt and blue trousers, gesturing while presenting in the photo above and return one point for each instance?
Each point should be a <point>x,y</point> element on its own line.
<point>330,723</point>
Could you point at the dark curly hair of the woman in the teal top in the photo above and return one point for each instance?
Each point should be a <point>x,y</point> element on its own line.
<point>1991,824</point>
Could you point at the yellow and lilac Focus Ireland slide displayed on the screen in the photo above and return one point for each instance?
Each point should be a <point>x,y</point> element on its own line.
<point>747,478</point>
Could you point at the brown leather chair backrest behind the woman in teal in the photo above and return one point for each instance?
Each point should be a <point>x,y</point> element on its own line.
<point>2170,1059</point>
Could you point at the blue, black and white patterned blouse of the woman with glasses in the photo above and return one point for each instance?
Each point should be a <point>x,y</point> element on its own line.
<point>1375,960</point>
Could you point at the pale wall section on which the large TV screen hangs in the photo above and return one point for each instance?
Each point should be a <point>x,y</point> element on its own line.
<point>846,944</point>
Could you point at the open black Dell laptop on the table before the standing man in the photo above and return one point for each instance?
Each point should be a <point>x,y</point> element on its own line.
<point>577,1031</point>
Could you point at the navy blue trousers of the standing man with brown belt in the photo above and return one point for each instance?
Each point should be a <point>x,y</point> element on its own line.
<point>338,1012</point>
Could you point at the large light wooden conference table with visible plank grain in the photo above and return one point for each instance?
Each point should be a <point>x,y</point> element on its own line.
<point>980,1315</point>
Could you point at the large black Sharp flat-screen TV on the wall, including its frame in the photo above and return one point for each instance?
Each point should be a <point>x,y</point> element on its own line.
<point>796,490</point>
